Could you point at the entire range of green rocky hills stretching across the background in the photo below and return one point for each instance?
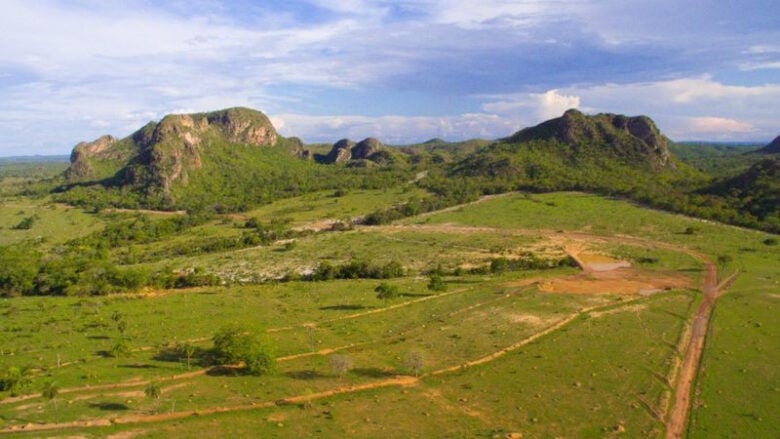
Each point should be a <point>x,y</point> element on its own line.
<point>233,159</point>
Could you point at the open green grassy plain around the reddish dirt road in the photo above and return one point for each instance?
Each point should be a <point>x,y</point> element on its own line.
<point>497,354</point>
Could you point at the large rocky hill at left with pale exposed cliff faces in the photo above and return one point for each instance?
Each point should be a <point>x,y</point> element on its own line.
<point>201,152</point>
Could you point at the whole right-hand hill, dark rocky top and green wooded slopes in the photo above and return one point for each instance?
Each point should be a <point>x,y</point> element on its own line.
<point>605,152</point>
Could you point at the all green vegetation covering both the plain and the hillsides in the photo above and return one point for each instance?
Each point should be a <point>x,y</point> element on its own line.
<point>241,318</point>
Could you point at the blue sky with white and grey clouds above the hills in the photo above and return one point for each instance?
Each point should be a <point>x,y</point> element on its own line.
<point>403,71</point>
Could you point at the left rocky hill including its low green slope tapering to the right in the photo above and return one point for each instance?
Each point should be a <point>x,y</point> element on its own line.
<point>226,160</point>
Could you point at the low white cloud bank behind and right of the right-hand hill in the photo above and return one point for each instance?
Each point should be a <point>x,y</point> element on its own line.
<point>686,108</point>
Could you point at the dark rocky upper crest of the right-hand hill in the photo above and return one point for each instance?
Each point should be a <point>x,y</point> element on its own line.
<point>634,139</point>
